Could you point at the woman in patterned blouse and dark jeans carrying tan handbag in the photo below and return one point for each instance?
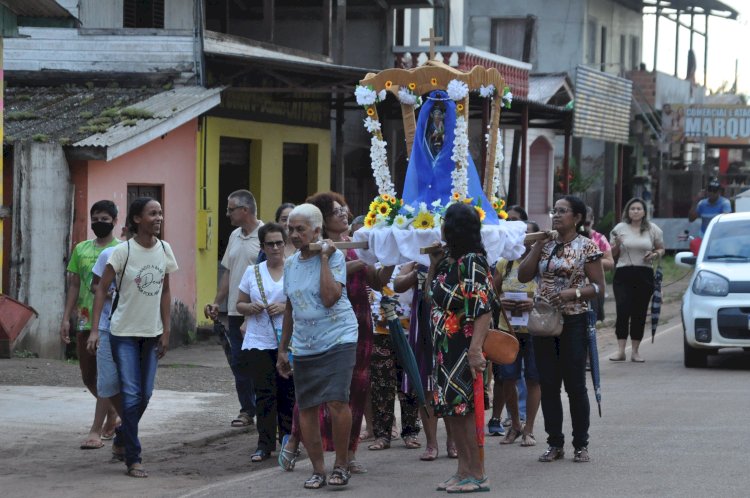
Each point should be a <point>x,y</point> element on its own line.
<point>561,266</point>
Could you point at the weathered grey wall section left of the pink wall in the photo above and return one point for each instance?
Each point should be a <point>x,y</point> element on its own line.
<point>41,227</point>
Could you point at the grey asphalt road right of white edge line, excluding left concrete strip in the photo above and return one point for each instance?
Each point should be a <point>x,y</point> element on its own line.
<point>666,431</point>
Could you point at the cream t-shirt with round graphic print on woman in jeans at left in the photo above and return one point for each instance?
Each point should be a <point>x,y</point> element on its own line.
<point>138,310</point>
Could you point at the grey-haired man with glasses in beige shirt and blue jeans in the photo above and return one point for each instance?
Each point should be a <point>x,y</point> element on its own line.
<point>242,251</point>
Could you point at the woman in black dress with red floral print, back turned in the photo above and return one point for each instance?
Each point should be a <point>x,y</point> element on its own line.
<point>462,302</point>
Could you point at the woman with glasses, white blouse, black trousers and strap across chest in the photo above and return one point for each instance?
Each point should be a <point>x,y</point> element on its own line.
<point>262,300</point>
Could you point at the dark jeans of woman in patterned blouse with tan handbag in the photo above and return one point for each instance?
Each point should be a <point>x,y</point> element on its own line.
<point>563,360</point>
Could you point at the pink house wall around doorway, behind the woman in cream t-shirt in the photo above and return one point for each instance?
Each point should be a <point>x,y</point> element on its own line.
<point>170,162</point>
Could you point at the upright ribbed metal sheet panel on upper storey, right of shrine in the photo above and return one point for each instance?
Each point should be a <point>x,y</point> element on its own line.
<point>602,106</point>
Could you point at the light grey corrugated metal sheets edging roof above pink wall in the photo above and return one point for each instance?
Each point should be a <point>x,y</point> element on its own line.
<point>168,110</point>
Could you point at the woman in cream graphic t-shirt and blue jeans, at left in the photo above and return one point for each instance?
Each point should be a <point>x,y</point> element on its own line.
<point>140,321</point>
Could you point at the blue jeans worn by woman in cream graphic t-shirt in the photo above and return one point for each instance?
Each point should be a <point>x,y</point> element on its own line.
<point>136,362</point>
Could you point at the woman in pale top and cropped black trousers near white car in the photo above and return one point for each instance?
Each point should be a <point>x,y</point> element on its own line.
<point>636,244</point>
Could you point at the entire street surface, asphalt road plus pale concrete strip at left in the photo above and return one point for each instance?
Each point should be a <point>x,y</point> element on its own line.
<point>665,431</point>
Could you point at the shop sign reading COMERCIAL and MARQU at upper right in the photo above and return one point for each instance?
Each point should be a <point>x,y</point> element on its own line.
<point>712,124</point>
